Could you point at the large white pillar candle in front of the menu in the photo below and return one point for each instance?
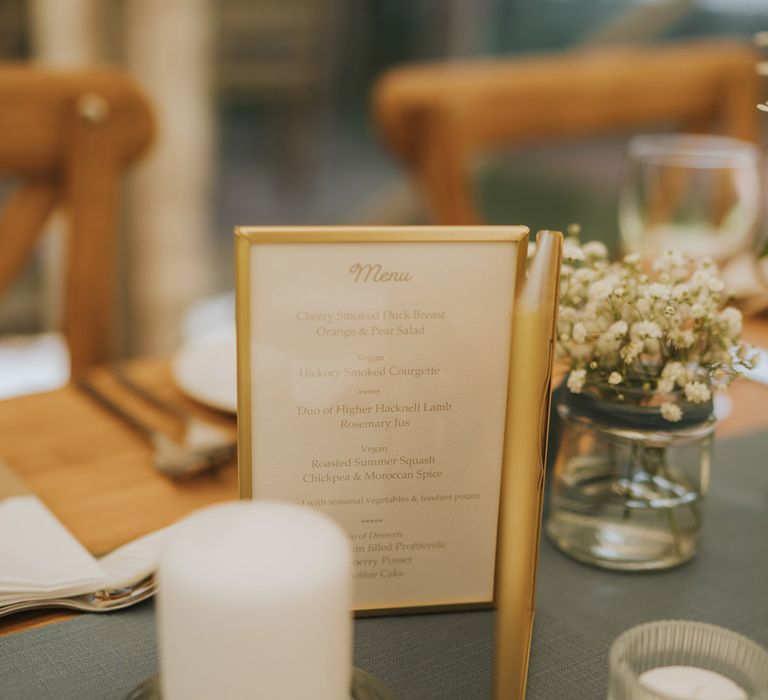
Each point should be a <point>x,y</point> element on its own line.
<point>255,602</point>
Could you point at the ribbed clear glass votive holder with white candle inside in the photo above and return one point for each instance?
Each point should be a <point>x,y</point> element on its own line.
<point>683,660</point>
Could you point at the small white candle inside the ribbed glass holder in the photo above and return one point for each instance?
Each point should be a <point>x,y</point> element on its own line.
<point>691,683</point>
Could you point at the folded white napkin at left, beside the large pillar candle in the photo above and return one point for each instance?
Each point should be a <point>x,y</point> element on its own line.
<point>39,557</point>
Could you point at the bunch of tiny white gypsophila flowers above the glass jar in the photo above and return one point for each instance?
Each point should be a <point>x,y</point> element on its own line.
<point>661,331</point>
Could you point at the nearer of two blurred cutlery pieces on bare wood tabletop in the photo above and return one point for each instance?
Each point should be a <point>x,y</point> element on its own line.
<point>169,457</point>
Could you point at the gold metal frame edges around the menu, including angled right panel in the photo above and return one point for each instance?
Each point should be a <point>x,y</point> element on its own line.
<point>527,403</point>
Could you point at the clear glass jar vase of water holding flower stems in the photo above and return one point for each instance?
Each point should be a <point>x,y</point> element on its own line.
<point>628,486</point>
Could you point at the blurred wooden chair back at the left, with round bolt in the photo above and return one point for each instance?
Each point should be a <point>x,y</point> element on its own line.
<point>66,137</point>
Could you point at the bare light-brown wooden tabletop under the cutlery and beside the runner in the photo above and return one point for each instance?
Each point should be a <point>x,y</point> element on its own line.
<point>96,474</point>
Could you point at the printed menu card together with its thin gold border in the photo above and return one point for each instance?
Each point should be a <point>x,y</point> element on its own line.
<point>374,384</point>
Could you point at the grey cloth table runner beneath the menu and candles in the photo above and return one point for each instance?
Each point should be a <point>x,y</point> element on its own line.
<point>445,657</point>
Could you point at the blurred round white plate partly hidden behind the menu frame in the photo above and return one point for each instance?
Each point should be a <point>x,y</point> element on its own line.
<point>206,371</point>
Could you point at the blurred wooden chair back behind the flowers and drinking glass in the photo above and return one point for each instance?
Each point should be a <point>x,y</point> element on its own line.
<point>435,118</point>
